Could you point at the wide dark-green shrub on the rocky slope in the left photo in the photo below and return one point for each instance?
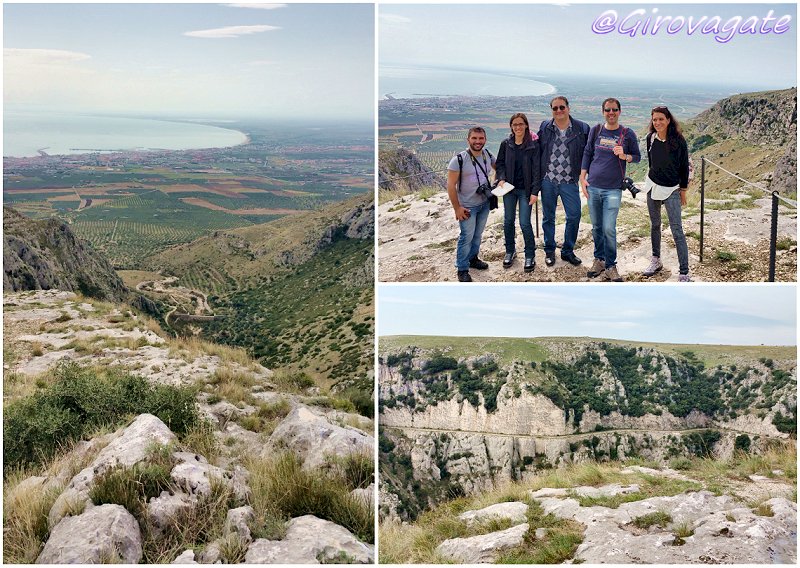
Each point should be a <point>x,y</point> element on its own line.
<point>80,400</point>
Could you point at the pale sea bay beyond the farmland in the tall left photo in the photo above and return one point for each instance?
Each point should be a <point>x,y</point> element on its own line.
<point>28,133</point>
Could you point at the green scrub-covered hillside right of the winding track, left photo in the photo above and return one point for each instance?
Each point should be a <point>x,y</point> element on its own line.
<point>296,292</point>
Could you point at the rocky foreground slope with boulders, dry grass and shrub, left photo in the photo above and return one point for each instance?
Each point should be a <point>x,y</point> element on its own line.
<point>122,444</point>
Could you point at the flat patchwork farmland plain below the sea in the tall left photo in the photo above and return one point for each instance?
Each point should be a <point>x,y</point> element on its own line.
<point>134,205</point>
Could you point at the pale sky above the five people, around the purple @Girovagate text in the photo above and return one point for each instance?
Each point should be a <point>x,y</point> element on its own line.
<point>545,39</point>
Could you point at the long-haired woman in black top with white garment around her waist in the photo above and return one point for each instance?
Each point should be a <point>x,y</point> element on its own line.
<point>666,184</point>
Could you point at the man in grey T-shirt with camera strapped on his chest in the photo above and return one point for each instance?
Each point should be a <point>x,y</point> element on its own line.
<point>469,189</point>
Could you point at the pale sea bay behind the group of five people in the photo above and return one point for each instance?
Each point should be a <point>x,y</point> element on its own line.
<point>415,82</point>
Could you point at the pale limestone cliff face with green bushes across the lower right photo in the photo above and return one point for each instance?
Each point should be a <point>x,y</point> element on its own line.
<point>464,425</point>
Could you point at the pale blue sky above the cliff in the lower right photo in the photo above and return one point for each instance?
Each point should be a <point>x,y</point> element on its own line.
<point>716,314</point>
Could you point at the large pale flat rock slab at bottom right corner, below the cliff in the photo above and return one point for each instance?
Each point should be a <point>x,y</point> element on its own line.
<point>723,530</point>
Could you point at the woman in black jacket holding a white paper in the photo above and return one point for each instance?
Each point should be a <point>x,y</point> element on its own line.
<point>518,164</point>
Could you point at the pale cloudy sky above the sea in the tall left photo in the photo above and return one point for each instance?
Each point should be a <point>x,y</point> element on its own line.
<point>295,60</point>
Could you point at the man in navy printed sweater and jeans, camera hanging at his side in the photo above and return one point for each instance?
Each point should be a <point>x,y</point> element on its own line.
<point>609,149</point>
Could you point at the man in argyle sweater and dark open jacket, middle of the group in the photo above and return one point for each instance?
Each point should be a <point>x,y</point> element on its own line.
<point>562,140</point>
